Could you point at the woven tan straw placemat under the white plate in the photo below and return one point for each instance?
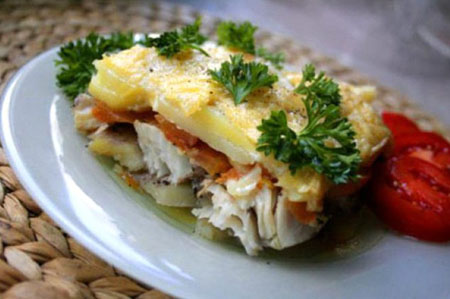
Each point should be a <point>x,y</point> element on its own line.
<point>37,259</point>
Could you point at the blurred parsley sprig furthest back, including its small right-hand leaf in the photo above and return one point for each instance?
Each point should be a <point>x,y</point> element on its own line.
<point>240,36</point>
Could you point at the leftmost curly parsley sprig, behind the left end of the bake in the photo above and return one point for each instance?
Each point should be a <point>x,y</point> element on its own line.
<point>75,59</point>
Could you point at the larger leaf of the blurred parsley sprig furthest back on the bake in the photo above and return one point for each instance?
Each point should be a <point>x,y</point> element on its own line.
<point>237,36</point>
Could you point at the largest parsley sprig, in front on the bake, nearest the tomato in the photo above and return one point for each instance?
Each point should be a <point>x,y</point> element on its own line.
<point>325,144</point>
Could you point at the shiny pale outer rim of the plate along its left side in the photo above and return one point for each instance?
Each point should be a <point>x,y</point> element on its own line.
<point>90,242</point>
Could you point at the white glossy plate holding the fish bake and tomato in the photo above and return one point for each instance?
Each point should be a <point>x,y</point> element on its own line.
<point>127,230</point>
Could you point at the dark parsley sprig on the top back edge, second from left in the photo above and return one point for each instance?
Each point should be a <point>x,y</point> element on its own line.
<point>172,42</point>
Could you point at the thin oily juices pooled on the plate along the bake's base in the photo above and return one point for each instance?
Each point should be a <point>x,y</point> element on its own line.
<point>343,236</point>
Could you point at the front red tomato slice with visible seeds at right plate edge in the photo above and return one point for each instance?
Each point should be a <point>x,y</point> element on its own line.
<point>412,197</point>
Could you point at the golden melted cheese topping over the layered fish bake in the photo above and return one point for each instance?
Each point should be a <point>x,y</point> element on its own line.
<point>181,89</point>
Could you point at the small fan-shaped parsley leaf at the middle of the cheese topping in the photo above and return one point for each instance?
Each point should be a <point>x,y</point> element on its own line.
<point>242,78</point>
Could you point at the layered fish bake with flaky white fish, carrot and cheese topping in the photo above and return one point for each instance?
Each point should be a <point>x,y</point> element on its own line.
<point>255,200</point>
